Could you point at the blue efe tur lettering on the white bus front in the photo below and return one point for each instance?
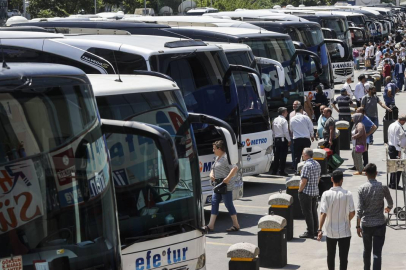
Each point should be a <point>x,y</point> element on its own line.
<point>165,257</point>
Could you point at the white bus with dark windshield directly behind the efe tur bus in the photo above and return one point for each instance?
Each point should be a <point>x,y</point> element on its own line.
<point>197,67</point>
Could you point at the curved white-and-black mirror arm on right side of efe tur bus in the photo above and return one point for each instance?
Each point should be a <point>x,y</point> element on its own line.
<point>225,131</point>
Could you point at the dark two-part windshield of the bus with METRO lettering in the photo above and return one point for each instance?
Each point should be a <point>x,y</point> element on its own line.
<point>254,112</point>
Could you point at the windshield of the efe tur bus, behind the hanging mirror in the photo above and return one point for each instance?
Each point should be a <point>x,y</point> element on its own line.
<point>146,208</point>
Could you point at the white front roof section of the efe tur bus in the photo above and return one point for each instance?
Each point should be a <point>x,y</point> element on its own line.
<point>106,85</point>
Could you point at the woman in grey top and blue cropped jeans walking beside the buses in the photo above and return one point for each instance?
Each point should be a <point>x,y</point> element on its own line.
<point>223,172</point>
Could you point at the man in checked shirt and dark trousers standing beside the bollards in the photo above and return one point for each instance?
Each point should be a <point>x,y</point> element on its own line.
<point>309,192</point>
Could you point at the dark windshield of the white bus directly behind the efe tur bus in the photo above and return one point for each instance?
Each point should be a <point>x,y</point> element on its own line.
<point>199,75</point>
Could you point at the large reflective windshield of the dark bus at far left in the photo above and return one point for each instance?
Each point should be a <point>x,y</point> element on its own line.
<point>58,209</point>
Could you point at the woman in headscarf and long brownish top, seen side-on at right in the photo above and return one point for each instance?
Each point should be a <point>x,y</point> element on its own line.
<point>359,142</point>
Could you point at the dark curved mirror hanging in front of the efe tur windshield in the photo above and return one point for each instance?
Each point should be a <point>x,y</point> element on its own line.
<point>161,138</point>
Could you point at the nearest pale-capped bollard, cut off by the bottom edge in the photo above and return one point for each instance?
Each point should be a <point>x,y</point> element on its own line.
<point>244,256</point>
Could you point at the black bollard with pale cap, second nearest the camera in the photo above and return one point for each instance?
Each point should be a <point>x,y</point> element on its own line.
<point>272,242</point>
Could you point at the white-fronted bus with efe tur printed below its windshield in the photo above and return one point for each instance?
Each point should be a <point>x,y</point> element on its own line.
<point>159,227</point>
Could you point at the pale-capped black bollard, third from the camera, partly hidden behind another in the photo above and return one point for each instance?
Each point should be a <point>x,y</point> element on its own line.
<point>281,204</point>
